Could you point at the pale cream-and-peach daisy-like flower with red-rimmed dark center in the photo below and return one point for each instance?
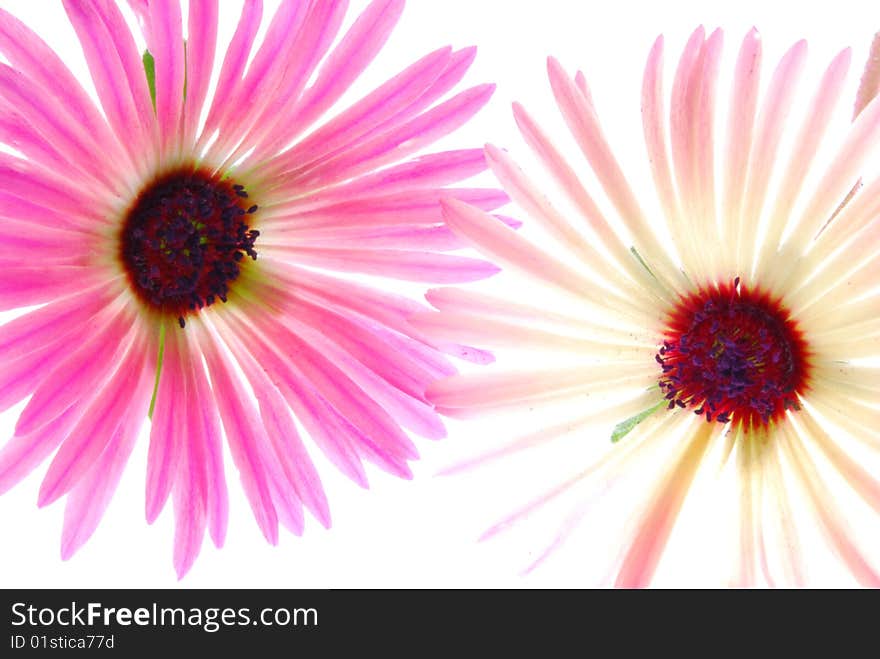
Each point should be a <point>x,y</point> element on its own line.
<point>720,341</point>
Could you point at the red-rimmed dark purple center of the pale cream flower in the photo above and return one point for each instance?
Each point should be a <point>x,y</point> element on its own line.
<point>733,355</point>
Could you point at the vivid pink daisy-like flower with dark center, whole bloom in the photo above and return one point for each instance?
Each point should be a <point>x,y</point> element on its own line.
<point>173,256</point>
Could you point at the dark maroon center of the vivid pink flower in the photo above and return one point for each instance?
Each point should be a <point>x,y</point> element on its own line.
<point>184,238</point>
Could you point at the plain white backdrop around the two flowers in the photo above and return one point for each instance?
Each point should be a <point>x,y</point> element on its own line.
<point>421,533</point>
